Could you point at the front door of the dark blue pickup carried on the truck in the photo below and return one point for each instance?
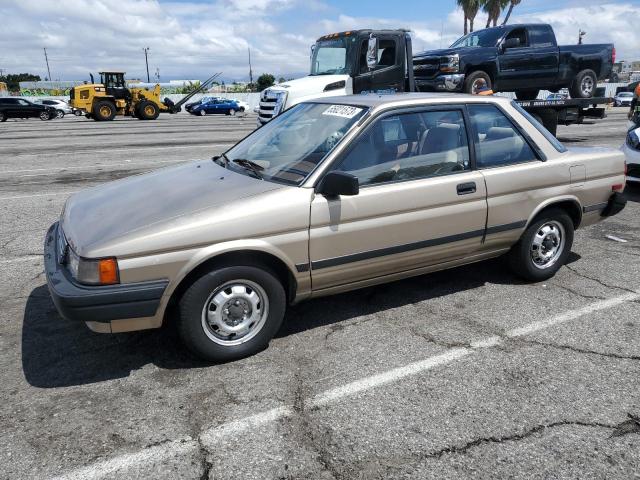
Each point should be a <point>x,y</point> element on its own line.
<point>514,63</point>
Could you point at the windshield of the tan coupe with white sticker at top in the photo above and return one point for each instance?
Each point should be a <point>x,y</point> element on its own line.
<point>289,147</point>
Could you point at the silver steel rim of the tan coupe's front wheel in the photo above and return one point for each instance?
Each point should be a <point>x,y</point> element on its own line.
<point>235,312</point>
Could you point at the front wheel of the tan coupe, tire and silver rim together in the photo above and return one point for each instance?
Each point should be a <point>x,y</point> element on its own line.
<point>231,312</point>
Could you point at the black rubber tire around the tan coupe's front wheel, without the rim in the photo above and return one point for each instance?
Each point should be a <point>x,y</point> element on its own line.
<point>197,336</point>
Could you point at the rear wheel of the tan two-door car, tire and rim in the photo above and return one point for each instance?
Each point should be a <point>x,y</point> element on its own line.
<point>544,246</point>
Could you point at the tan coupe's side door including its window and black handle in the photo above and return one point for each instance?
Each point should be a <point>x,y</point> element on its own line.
<point>420,203</point>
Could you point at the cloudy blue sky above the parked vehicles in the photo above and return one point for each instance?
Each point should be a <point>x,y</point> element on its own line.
<point>192,39</point>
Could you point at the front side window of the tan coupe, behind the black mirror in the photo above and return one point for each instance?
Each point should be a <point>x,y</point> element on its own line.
<point>409,146</point>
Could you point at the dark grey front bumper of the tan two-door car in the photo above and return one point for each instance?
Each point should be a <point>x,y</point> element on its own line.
<point>97,303</point>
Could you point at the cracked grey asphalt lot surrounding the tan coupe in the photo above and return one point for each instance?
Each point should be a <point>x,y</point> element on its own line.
<point>559,401</point>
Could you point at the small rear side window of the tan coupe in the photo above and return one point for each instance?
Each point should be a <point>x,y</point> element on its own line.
<point>497,140</point>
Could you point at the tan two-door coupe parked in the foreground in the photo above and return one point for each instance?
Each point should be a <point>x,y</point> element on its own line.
<point>332,195</point>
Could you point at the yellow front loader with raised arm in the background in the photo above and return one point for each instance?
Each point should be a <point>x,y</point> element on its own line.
<point>103,101</point>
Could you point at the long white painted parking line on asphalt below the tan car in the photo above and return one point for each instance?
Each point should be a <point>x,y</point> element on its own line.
<point>212,436</point>
